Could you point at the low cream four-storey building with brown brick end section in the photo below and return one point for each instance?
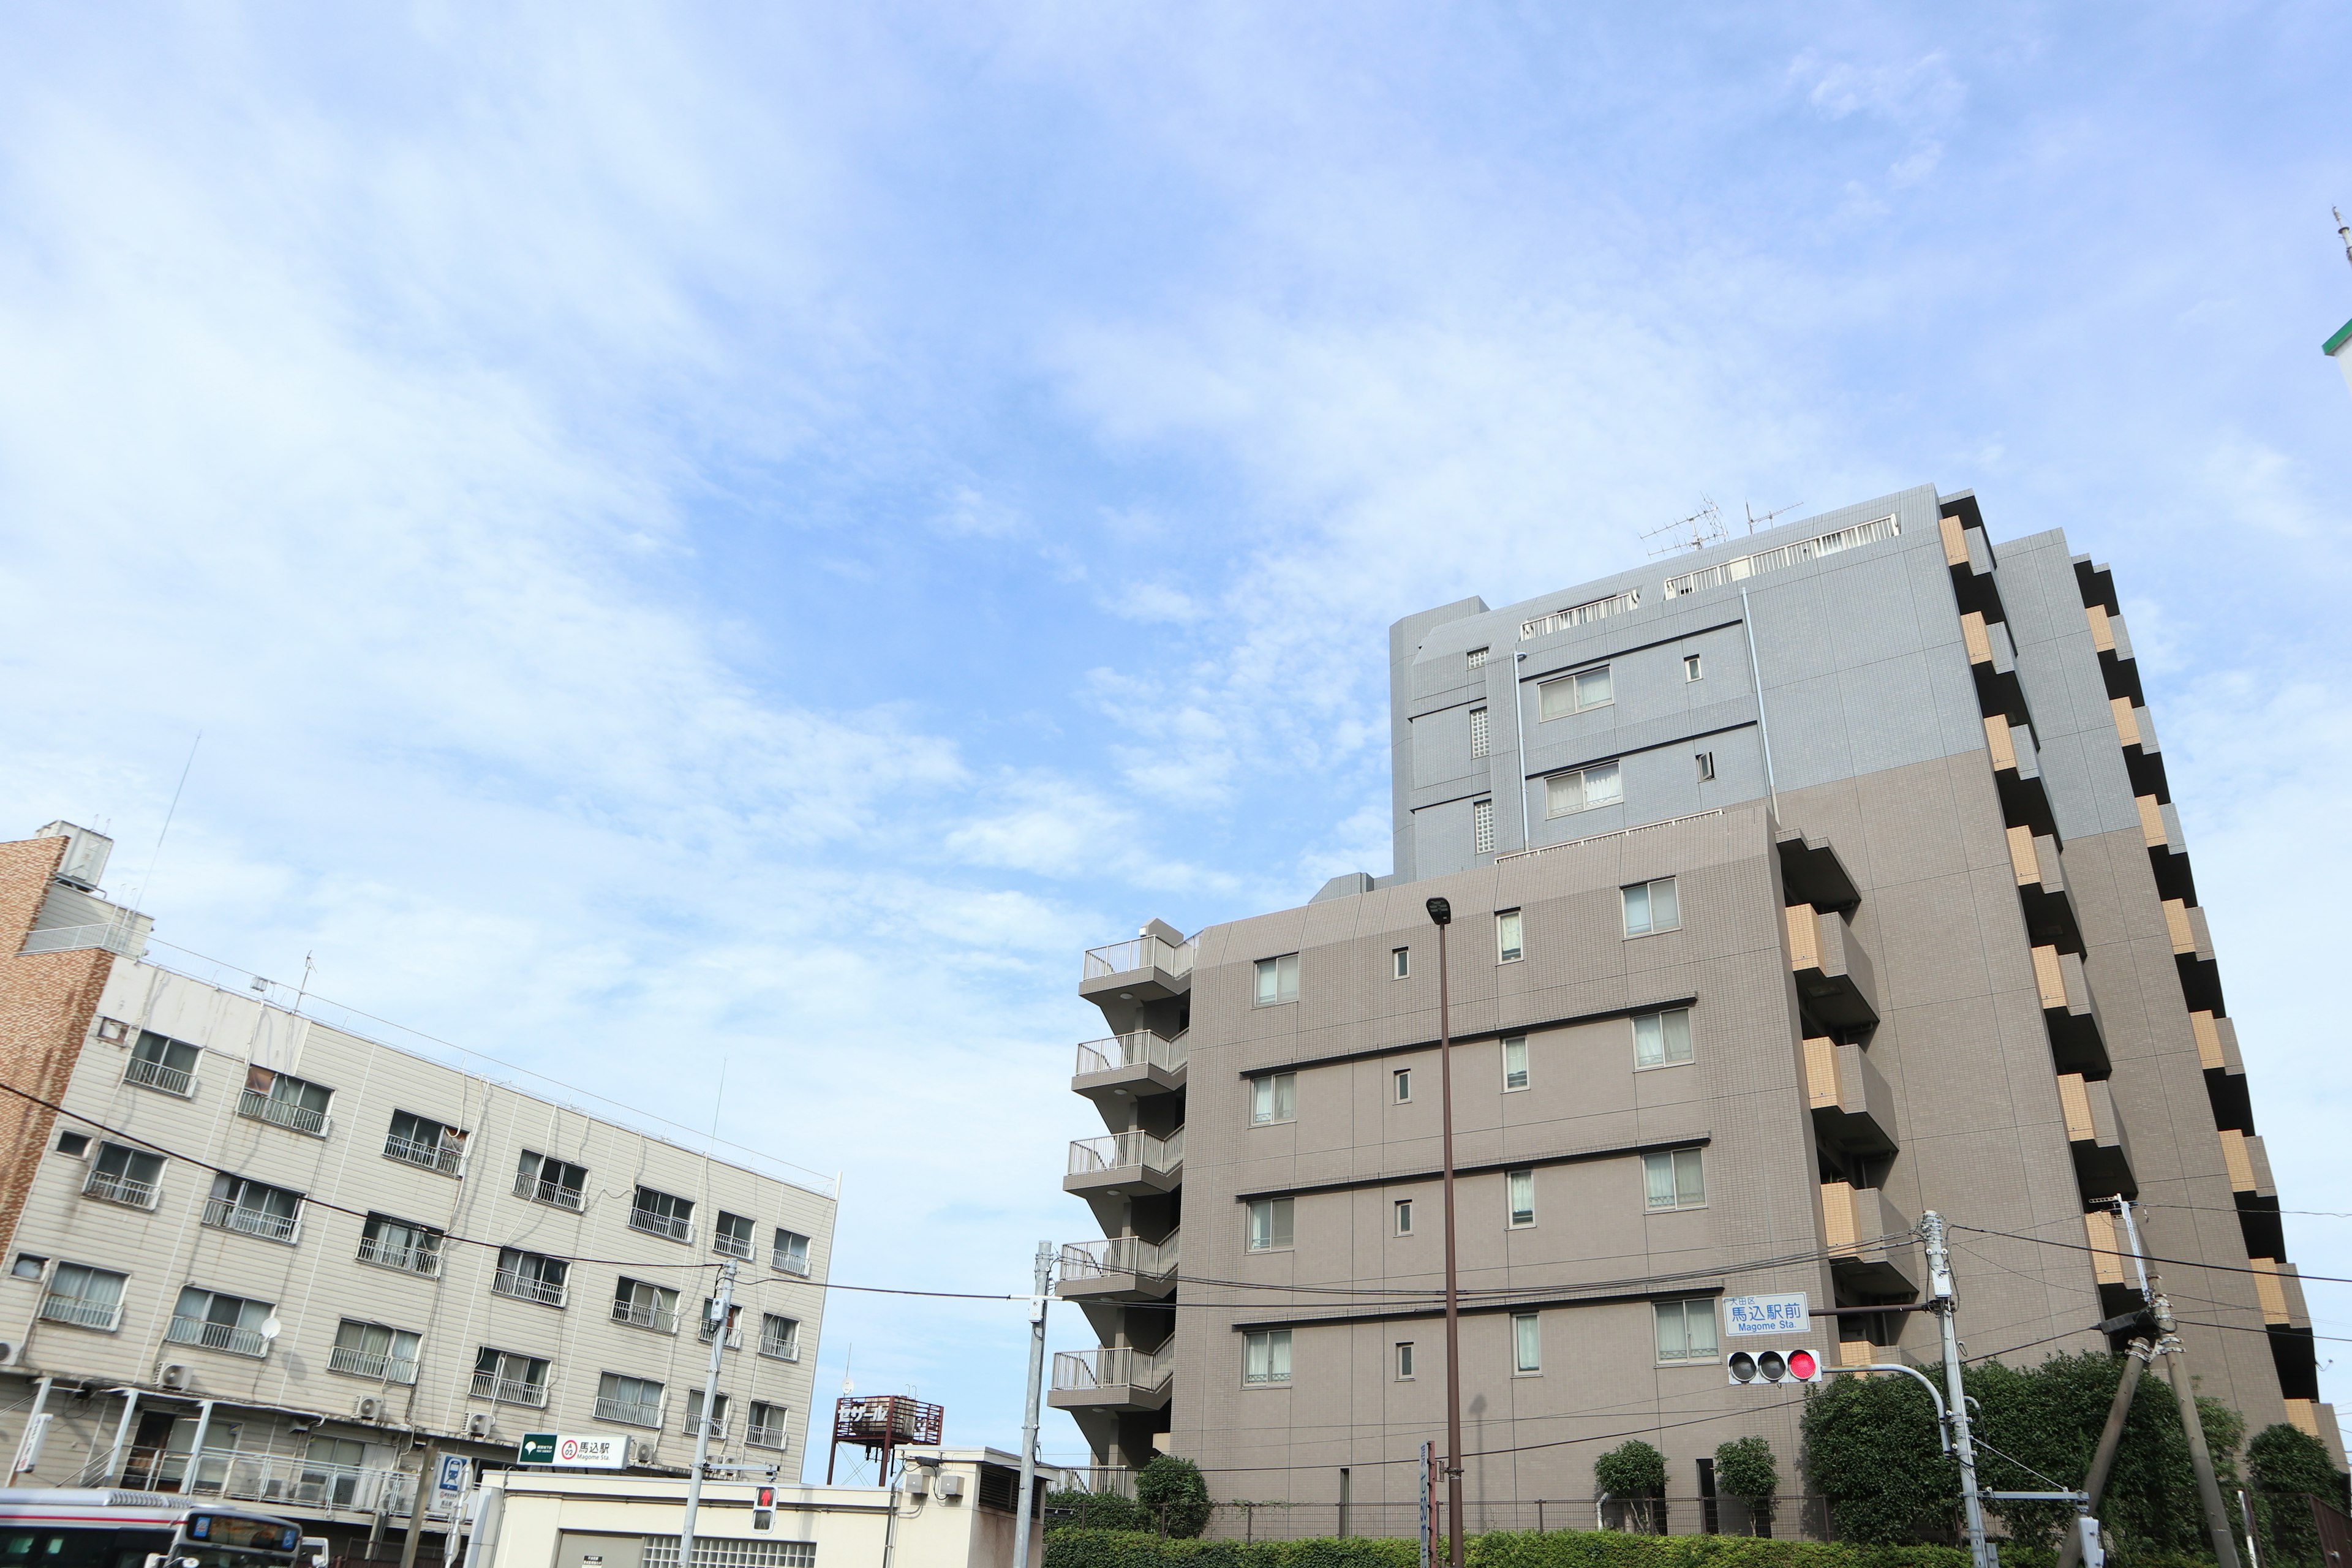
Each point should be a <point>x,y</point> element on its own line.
<point>265,1259</point>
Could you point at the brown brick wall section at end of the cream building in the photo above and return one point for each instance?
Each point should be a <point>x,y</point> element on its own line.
<point>46,1005</point>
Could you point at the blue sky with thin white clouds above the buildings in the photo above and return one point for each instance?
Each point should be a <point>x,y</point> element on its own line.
<point>761,532</point>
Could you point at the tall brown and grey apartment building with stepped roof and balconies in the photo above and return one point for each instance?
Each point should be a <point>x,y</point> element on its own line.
<point>1800,885</point>
